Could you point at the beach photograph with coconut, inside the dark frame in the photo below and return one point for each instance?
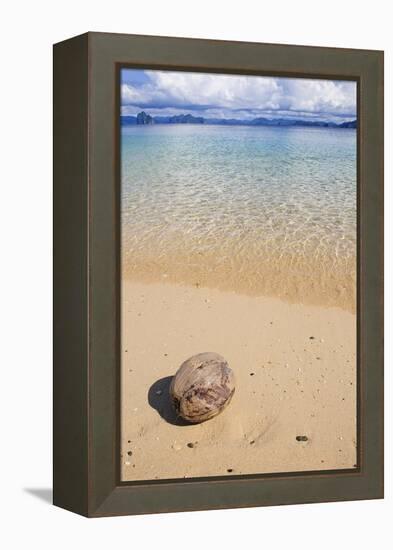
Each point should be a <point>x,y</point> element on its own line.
<point>238,264</point>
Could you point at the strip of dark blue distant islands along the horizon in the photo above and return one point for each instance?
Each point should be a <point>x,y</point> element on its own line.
<point>143,118</point>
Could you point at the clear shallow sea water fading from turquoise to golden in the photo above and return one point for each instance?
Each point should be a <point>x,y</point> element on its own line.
<point>260,210</point>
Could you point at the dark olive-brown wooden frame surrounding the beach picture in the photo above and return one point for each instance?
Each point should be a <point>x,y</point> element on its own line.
<point>87,278</point>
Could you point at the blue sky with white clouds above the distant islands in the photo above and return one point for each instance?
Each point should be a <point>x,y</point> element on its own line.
<point>235,96</point>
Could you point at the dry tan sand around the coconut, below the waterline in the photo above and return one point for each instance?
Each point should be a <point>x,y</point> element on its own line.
<point>295,369</point>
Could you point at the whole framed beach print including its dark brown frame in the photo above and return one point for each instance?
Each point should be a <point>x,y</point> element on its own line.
<point>218,274</point>
